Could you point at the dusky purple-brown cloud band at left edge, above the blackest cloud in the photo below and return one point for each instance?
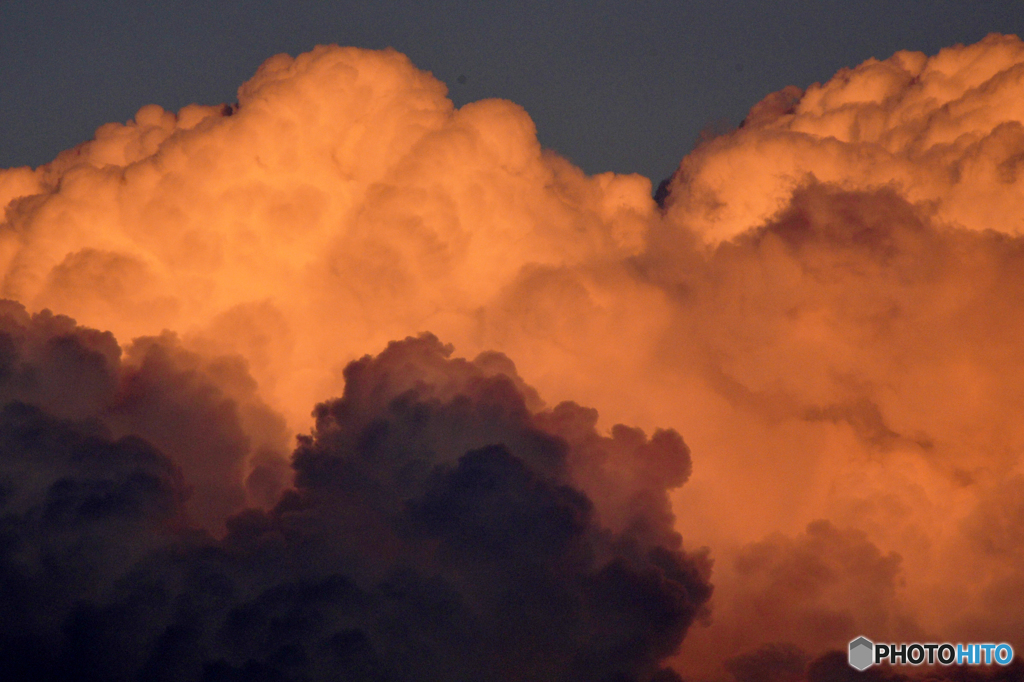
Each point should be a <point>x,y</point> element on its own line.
<point>202,413</point>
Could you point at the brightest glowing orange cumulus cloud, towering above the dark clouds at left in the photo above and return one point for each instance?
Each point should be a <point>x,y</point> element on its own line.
<point>345,181</point>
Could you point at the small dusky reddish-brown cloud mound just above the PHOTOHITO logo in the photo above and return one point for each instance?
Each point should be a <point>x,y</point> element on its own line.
<point>816,589</point>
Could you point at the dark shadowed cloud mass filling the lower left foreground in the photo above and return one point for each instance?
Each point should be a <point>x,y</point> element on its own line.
<point>441,528</point>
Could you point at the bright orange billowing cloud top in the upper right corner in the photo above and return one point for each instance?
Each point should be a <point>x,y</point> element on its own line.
<point>947,132</point>
